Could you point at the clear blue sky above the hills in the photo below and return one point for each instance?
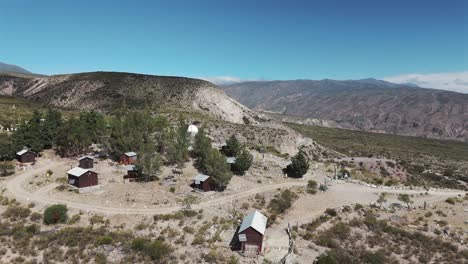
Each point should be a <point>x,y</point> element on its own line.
<point>263,39</point>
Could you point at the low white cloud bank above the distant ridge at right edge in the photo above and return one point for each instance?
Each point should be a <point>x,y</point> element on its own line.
<point>451,81</point>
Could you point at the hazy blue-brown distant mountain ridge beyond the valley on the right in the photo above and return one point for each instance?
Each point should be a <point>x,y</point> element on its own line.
<point>368,105</point>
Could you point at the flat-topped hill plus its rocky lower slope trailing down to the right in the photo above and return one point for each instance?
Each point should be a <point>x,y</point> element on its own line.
<point>198,100</point>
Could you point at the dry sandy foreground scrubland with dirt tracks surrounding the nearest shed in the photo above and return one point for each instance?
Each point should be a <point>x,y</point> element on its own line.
<point>153,227</point>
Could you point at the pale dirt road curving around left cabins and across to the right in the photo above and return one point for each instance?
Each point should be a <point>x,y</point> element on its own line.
<point>348,192</point>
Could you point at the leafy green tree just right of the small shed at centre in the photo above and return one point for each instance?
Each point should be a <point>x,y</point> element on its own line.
<point>217,167</point>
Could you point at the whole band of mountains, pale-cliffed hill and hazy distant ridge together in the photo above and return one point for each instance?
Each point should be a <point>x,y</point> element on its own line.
<point>368,105</point>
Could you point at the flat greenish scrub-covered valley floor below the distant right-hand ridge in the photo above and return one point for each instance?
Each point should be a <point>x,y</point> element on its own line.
<point>441,163</point>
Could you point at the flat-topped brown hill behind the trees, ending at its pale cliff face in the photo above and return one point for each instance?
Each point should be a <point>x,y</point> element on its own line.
<point>109,91</point>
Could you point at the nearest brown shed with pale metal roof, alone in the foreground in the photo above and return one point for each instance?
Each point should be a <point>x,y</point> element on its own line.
<point>252,231</point>
